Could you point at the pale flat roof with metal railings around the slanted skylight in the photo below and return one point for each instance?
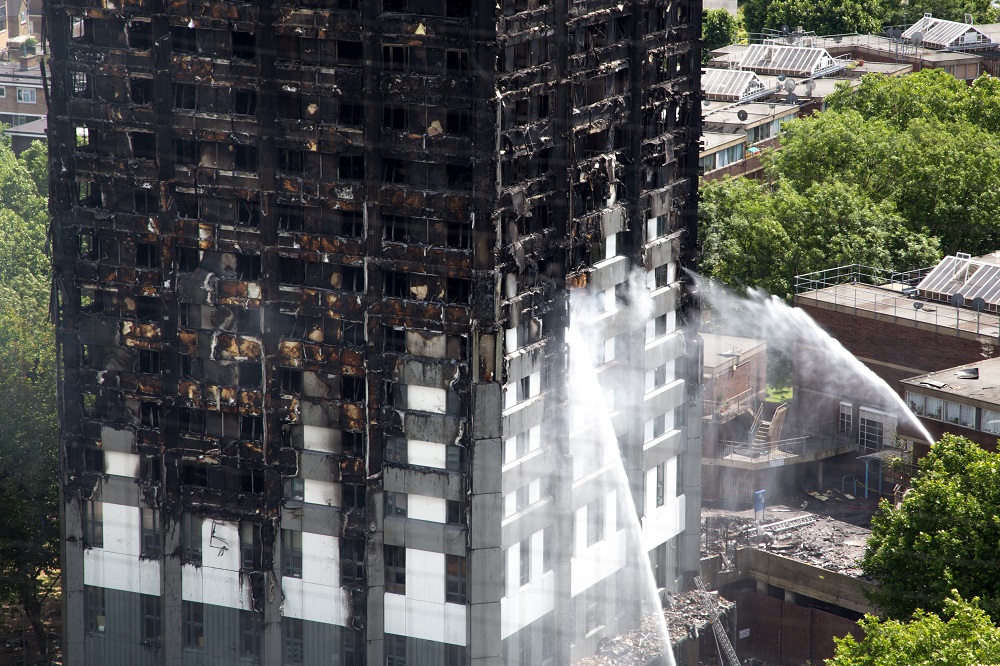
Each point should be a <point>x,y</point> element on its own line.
<point>889,303</point>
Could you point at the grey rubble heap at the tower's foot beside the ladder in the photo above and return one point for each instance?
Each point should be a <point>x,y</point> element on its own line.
<point>685,616</point>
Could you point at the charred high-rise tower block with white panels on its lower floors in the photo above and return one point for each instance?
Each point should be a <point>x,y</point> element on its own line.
<point>312,270</point>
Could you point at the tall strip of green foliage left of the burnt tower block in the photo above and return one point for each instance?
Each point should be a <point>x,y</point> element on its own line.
<point>29,527</point>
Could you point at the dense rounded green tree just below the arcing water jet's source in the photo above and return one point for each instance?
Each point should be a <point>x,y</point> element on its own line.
<point>944,536</point>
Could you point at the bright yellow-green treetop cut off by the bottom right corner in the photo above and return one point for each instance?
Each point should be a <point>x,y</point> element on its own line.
<point>965,637</point>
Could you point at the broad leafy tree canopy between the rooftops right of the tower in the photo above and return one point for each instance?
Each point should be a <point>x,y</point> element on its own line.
<point>892,175</point>
